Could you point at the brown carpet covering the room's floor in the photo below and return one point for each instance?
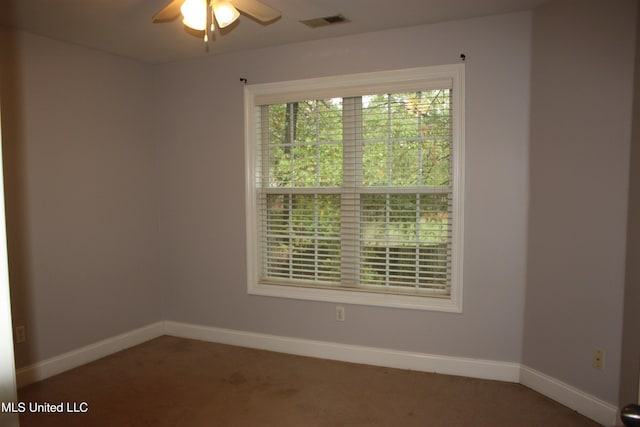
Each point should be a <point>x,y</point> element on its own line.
<point>178,382</point>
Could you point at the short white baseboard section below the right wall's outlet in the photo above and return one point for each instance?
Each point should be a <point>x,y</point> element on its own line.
<point>581,402</point>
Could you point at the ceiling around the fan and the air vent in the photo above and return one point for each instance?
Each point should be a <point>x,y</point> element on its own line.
<point>124,27</point>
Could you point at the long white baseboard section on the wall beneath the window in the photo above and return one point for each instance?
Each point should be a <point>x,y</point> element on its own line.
<point>474,368</point>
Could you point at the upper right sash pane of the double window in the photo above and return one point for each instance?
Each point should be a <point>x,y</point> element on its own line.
<point>407,139</point>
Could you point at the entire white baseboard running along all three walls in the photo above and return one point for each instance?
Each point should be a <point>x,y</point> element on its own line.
<point>584,403</point>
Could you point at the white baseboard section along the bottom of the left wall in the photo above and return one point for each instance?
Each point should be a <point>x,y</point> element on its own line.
<point>66,361</point>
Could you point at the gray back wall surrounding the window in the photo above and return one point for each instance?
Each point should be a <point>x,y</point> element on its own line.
<point>202,189</point>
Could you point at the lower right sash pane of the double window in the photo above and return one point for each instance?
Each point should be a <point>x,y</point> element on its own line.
<point>405,241</point>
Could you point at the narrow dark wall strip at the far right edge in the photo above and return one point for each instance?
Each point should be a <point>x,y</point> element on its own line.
<point>631,331</point>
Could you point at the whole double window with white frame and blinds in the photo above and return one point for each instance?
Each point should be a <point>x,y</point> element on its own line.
<point>354,188</point>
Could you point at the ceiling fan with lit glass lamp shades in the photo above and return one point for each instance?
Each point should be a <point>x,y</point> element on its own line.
<point>198,14</point>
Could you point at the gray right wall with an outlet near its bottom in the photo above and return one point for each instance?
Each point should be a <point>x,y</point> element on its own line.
<point>581,84</point>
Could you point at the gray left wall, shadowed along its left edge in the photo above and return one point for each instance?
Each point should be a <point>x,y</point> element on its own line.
<point>81,193</point>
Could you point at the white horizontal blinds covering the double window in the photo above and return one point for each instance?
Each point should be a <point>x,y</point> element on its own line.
<point>357,192</point>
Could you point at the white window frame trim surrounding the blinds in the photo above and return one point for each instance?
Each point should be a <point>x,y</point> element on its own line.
<point>343,86</point>
